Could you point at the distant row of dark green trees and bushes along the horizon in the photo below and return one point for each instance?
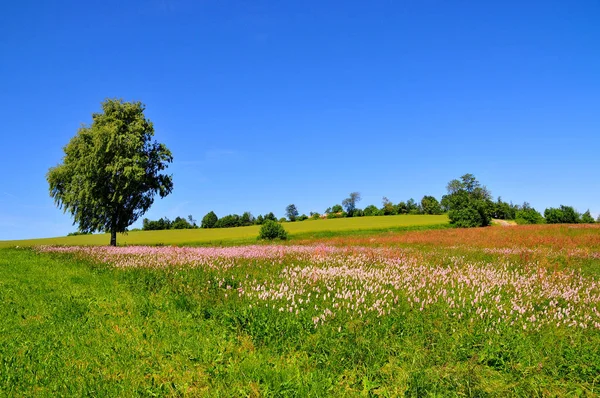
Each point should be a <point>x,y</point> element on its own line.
<point>467,203</point>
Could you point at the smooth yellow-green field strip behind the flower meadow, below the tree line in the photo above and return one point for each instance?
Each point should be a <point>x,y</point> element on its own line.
<point>240,235</point>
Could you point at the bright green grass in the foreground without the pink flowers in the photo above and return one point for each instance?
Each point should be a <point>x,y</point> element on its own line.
<point>73,328</point>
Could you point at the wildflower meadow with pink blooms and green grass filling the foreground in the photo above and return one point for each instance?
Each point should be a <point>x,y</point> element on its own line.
<point>499,311</point>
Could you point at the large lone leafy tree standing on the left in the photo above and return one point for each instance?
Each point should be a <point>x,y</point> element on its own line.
<point>111,170</point>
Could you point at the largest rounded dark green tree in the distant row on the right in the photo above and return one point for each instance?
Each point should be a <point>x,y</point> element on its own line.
<point>468,203</point>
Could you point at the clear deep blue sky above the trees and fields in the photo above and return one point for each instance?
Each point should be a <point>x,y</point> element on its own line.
<point>267,103</point>
